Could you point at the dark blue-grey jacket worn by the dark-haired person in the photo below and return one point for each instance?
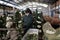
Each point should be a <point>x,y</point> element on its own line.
<point>28,20</point>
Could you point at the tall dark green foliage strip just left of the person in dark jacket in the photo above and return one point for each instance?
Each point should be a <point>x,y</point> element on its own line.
<point>19,25</point>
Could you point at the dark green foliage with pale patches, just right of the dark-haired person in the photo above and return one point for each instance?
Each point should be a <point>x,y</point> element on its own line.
<point>37,17</point>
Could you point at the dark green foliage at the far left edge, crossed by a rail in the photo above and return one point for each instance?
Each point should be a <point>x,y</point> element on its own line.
<point>2,25</point>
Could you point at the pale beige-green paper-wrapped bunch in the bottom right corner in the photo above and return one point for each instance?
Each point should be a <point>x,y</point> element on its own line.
<point>50,33</point>
